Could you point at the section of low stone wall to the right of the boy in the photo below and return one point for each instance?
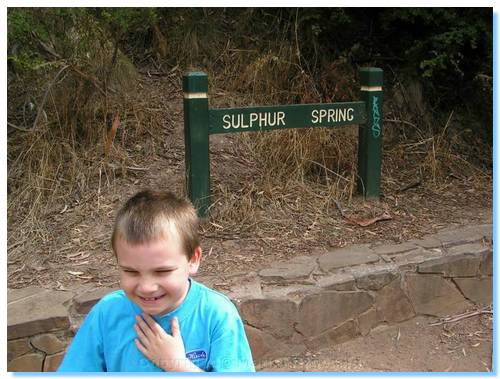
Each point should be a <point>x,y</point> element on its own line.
<point>344,293</point>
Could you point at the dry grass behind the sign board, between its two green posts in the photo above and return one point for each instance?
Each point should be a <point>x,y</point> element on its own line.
<point>294,172</point>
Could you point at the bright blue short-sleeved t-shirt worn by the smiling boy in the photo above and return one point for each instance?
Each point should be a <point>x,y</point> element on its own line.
<point>211,328</point>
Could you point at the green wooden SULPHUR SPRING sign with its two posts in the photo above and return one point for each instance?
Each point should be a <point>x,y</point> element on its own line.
<point>200,122</point>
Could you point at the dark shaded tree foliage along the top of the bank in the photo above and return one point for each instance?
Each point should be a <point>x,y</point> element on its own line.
<point>448,47</point>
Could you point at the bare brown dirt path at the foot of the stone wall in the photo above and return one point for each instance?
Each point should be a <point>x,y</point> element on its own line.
<point>413,345</point>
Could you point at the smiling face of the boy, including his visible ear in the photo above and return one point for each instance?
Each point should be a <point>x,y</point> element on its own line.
<point>155,275</point>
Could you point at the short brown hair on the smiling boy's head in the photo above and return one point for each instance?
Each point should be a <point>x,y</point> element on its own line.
<point>149,215</point>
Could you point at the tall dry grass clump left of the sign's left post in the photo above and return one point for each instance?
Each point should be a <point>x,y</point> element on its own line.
<point>60,157</point>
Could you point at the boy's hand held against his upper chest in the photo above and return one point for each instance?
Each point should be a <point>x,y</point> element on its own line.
<point>164,350</point>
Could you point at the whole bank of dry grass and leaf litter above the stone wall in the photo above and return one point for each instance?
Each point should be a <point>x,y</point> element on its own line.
<point>89,130</point>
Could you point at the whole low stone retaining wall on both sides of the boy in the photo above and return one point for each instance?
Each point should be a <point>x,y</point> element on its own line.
<point>307,303</point>
